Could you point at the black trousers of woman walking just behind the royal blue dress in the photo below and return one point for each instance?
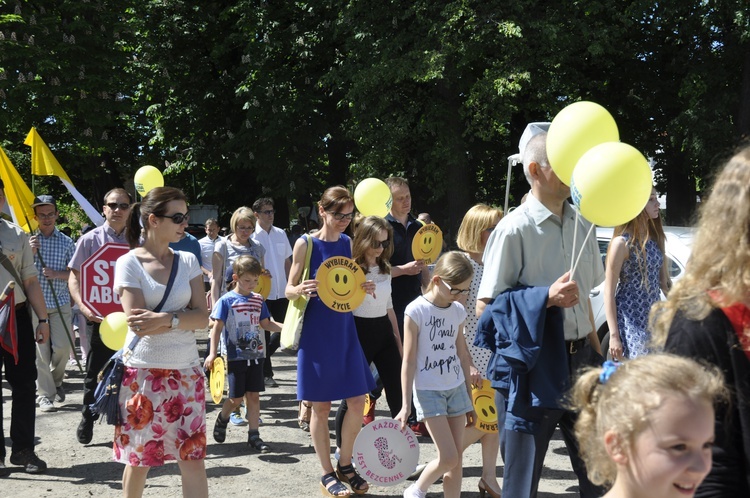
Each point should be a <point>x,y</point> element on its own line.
<point>379,345</point>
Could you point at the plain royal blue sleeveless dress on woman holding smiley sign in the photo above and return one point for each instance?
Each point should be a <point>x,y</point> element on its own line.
<point>330,361</point>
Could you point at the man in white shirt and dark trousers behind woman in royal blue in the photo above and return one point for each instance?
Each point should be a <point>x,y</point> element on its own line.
<point>277,261</point>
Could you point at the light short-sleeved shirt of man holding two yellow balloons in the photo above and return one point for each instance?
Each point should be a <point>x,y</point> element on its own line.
<point>531,246</point>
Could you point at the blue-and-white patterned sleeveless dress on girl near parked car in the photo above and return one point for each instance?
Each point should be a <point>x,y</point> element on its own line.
<point>634,299</point>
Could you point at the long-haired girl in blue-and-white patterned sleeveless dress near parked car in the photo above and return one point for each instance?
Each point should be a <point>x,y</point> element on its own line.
<point>636,272</point>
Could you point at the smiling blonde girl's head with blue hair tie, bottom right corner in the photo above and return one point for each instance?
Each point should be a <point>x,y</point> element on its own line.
<point>645,427</point>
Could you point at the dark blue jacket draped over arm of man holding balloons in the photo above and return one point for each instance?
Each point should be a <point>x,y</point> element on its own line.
<point>529,362</point>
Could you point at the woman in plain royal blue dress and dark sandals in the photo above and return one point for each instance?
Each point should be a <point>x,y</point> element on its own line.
<point>330,362</point>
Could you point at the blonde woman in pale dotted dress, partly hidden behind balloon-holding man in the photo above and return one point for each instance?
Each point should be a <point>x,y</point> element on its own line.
<point>475,230</point>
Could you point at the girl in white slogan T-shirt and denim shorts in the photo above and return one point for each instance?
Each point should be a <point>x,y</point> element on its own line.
<point>436,369</point>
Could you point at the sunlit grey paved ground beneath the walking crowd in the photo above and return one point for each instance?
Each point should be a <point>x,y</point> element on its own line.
<point>291,470</point>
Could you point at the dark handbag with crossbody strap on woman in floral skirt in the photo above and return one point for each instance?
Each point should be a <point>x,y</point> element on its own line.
<point>107,393</point>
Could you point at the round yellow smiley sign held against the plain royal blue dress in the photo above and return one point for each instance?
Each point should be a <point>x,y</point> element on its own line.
<point>340,282</point>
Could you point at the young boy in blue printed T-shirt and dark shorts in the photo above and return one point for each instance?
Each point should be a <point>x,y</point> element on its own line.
<point>238,317</point>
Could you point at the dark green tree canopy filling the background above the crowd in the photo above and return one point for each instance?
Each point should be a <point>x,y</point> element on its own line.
<point>238,99</point>
